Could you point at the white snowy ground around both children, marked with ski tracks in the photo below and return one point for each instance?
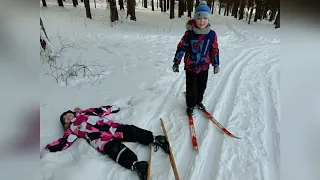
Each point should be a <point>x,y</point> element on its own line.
<point>244,96</point>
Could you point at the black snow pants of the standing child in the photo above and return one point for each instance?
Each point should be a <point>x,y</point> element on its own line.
<point>196,85</point>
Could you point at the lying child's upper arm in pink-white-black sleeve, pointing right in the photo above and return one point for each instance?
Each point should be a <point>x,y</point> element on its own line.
<point>100,111</point>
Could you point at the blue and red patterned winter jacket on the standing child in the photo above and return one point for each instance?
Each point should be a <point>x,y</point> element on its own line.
<point>199,47</point>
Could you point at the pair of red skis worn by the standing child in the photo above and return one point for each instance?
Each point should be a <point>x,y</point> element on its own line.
<point>210,117</point>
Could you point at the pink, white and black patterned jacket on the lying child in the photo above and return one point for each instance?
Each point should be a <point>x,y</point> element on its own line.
<point>92,125</point>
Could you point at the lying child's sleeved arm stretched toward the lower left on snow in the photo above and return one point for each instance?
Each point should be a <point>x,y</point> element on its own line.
<point>62,143</point>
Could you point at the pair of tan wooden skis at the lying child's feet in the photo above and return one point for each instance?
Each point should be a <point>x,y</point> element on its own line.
<point>173,164</point>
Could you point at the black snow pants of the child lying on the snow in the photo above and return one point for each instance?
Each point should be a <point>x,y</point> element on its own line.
<point>121,154</point>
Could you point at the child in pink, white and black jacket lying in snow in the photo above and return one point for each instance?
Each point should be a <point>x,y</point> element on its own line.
<point>105,136</point>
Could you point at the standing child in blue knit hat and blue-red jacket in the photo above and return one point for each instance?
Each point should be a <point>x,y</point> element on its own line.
<point>200,48</point>
